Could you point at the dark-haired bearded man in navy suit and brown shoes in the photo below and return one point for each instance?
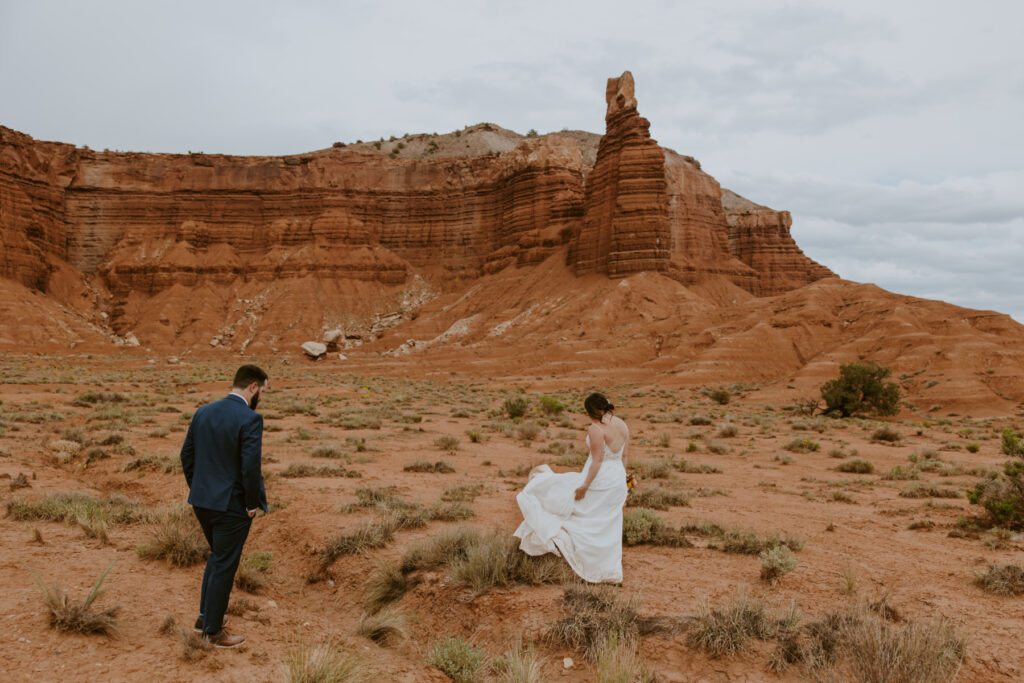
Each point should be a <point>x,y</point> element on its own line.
<point>222,462</point>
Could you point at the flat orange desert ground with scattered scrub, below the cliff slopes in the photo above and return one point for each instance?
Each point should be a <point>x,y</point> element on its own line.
<point>895,540</point>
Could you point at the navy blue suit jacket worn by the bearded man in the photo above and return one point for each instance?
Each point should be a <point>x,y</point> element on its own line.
<point>223,456</point>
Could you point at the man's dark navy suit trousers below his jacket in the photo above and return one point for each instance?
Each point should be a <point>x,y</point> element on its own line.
<point>227,533</point>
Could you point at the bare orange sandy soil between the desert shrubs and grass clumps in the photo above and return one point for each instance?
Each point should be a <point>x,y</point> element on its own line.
<point>854,525</point>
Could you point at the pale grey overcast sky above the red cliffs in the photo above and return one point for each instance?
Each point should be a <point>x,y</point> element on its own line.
<point>893,131</point>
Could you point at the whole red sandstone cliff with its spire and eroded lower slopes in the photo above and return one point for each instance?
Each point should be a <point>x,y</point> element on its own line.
<point>481,244</point>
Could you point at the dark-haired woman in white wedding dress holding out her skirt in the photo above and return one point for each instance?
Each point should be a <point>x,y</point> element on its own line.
<point>579,516</point>
